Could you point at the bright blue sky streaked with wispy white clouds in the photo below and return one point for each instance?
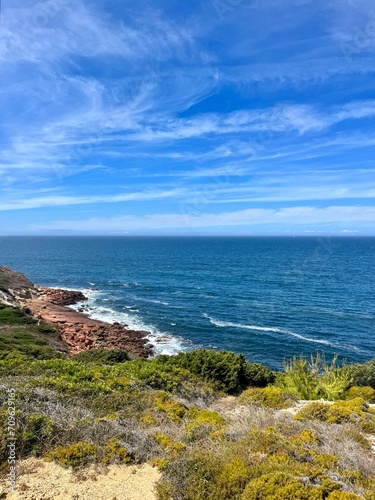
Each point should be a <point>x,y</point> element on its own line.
<point>240,117</point>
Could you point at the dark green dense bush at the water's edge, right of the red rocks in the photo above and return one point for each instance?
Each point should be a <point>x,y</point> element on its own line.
<point>226,370</point>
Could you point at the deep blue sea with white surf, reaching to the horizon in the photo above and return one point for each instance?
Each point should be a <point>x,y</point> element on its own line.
<point>268,298</point>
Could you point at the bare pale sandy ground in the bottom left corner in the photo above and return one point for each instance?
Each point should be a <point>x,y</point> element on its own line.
<point>39,480</point>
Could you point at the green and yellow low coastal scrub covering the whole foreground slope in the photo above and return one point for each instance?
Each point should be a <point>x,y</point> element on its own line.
<point>216,425</point>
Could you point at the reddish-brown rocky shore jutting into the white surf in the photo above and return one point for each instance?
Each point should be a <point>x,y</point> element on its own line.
<point>78,332</point>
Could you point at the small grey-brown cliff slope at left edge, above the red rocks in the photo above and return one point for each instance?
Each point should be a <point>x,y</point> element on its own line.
<point>15,288</point>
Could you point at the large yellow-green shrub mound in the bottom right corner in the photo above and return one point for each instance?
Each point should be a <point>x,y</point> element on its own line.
<point>270,463</point>
